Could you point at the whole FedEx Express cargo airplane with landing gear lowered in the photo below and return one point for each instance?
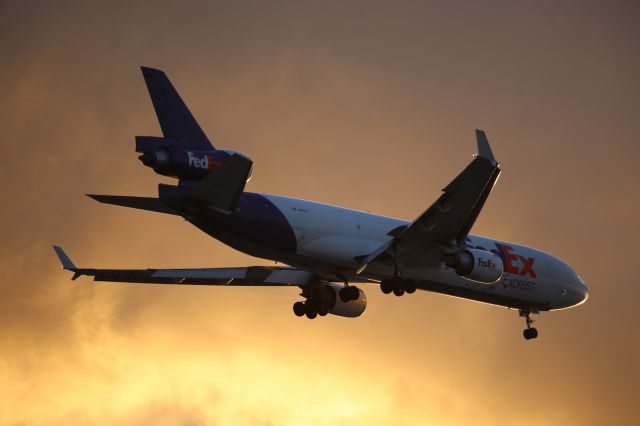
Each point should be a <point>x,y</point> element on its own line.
<point>326,250</point>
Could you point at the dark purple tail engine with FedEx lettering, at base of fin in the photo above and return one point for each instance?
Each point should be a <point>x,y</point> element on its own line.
<point>170,157</point>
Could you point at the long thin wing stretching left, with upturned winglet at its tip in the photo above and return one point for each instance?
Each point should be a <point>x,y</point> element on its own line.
<point>242,276</point>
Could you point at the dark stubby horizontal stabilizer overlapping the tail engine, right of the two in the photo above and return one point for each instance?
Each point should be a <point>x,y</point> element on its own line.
<point>223,186</point>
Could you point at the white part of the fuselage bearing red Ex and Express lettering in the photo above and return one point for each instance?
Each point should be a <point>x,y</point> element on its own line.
<point>333,238</point>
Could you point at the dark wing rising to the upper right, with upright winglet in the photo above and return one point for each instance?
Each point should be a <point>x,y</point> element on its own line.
<point>446,223</point>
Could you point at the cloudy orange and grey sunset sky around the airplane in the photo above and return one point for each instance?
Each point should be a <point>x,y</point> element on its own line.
<point>361,104</point>
